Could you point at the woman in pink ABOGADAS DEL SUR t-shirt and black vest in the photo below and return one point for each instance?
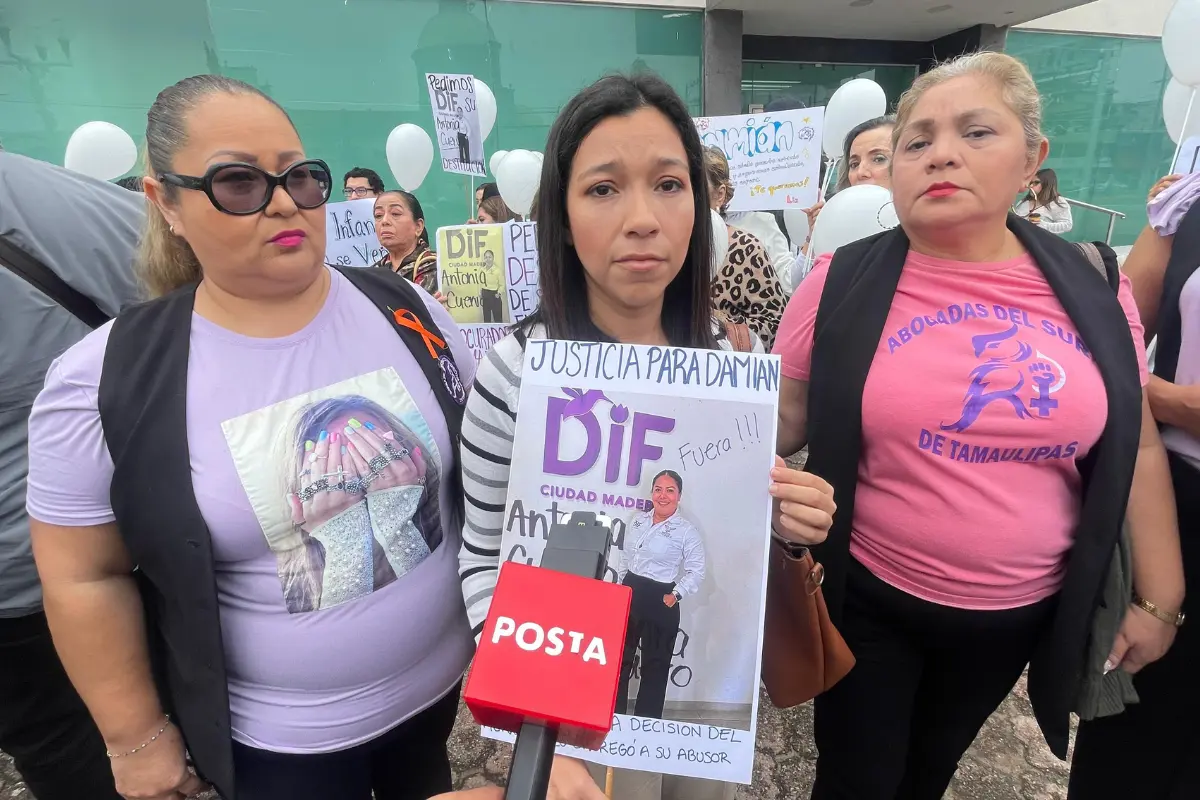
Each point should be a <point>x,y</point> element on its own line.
<point>981,453</point>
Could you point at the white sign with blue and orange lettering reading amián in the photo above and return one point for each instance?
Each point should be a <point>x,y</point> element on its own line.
<point>775,158</point>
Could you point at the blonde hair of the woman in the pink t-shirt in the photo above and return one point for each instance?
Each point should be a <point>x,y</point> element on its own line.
<point>1013,77</point>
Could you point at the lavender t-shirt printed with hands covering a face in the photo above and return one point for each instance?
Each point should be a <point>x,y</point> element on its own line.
<point>340,604</point>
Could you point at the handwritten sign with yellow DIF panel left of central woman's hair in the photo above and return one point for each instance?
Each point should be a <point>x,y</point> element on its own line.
<point>489,276</point>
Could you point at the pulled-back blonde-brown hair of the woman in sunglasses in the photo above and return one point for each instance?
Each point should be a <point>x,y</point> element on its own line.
<point>166,262</point>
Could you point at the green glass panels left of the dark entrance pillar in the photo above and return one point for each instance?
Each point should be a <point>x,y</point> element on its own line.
<point>346,71</point>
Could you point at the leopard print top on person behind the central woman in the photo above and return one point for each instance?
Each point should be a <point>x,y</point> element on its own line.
<point>747,288</point>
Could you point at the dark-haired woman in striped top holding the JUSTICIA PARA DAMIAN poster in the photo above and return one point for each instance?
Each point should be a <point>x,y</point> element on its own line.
<point>625,238</point>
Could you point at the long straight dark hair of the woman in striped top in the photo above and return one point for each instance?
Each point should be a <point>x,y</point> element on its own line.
<point>687,304</point>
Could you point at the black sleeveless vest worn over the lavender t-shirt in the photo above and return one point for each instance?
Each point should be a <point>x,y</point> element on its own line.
<point>143,407</point>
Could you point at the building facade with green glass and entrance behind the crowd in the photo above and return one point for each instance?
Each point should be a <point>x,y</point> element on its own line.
<point>349,71</point>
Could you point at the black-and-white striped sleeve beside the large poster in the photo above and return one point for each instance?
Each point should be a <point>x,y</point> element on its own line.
<point>488,429</point>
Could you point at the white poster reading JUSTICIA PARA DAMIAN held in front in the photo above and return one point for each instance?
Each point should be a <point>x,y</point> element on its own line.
<point>676,447</point>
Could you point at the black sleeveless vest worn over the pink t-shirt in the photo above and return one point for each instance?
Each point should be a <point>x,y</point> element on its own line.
<point>850,322</point>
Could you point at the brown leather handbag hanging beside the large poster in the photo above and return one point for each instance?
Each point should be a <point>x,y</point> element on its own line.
<point>803,654</point>
